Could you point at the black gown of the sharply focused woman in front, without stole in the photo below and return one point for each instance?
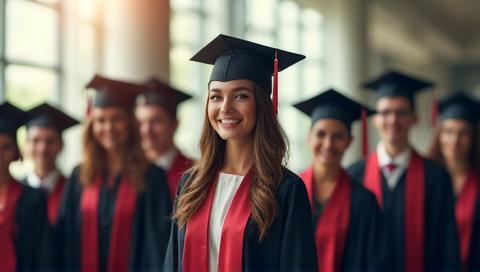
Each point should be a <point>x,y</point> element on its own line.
<point>289,245</point>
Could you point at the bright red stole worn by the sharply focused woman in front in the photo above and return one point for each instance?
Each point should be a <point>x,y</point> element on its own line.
<point>195,252</point>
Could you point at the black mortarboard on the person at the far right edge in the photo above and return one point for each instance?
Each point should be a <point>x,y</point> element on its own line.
<point>460,106</point>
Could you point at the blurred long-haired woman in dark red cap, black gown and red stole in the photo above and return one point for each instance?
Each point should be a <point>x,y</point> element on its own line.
<point>114,213</point>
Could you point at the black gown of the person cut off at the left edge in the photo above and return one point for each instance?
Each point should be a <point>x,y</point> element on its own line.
<point>33,241</point>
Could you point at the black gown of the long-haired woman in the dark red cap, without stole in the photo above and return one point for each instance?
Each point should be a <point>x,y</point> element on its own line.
<point>151,226</point>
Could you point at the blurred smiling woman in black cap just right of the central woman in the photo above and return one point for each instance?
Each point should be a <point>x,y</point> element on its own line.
<point>346,217</point>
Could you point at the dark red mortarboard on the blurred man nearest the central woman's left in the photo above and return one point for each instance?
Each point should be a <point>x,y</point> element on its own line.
<point>161,94</point>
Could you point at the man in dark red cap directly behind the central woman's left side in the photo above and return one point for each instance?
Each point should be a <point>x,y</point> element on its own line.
<point>156,112</point>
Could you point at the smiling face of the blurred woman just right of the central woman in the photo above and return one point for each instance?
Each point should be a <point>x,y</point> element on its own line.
<point>328,139</point>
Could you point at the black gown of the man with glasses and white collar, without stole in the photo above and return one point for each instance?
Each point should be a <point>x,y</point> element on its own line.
<point>441,247</point>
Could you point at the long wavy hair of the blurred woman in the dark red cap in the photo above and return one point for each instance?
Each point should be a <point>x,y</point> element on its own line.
<point>94,160</point>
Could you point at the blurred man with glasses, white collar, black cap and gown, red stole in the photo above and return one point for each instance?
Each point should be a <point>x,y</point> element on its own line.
<point>414,193</point>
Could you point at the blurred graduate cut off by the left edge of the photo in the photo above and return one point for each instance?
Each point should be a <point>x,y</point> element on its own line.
<point>25,235</point>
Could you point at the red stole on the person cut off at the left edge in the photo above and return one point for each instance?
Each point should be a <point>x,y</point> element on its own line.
<point>8,259</point>
